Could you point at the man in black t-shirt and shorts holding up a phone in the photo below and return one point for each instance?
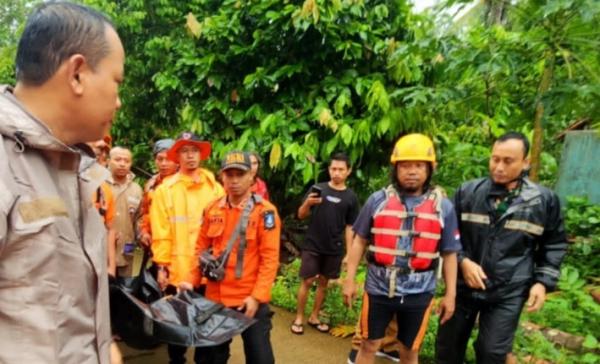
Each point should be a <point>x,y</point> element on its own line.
<point>332,208</point>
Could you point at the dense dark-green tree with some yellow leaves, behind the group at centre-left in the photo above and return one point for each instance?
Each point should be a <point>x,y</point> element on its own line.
<point>295,82</point>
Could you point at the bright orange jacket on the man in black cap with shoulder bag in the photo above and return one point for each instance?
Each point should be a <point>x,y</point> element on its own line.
<point>261,257</point>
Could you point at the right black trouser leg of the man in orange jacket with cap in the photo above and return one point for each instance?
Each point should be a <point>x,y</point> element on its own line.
<point>257,338</point>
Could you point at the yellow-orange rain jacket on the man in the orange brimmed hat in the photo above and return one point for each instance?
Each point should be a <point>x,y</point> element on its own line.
<point>175,218</point>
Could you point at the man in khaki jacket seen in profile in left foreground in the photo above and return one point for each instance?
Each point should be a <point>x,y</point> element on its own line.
<point>53,280</point>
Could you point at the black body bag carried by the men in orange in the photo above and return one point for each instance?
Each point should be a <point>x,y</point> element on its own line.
<point>144,320</point>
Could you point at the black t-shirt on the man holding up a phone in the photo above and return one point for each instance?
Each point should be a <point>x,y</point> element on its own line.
<point>328,220</point>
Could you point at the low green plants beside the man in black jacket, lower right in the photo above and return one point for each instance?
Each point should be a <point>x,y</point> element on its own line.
<point>571,309</point>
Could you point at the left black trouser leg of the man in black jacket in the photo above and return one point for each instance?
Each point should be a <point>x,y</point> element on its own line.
<point>453,336</point>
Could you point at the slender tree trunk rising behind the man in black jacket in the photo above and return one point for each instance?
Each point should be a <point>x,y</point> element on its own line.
<point>538,130</point>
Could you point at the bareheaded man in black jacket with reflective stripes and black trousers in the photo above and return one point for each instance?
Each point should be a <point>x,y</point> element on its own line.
<point>513,243</point>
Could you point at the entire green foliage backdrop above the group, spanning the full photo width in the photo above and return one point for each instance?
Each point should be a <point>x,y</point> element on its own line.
<point>297,81</point>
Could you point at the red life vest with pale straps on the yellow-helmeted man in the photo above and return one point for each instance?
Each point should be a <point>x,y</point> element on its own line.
<point>425,233</point>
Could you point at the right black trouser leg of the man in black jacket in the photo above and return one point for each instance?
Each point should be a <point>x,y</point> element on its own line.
<point>497,325</point>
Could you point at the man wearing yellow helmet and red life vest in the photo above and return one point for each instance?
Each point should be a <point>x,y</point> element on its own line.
<point>404,228</point>
